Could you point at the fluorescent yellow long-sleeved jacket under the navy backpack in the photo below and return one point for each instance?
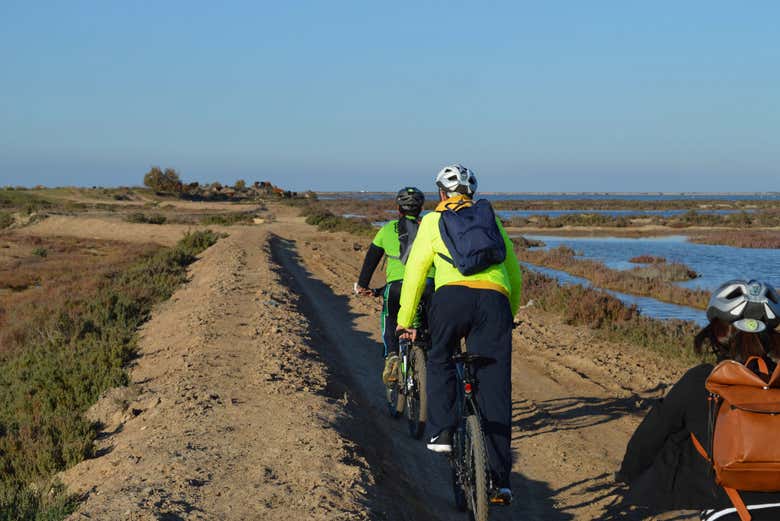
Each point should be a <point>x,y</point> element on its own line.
<point>504,277</point>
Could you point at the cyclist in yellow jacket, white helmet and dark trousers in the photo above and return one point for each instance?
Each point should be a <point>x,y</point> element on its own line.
<point>478,307</point>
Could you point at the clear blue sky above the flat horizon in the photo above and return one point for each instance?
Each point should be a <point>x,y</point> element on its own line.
<point>537,96</point>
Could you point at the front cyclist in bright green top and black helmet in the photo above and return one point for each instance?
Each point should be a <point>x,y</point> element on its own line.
<point>393,240</point>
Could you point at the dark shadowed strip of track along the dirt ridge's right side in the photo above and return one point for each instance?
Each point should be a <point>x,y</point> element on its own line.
<point>416,479</point>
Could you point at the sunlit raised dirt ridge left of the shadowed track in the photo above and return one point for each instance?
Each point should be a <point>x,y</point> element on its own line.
<point>229,415</point>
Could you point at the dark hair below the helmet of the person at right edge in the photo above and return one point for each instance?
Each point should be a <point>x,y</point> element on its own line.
<point>729,343</point>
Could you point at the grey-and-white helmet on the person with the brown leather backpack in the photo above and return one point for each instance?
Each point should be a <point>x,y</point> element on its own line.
<point>751,306</point>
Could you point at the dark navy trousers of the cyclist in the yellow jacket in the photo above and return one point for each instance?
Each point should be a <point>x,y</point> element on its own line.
<point>483,317</point>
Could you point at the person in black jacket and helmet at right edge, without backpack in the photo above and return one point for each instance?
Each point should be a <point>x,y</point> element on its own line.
<point>661,466</point>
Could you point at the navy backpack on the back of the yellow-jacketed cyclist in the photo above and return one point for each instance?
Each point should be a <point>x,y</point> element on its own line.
<point>472,237</point>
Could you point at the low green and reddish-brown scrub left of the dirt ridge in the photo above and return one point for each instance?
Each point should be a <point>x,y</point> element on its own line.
<point>67,336</point>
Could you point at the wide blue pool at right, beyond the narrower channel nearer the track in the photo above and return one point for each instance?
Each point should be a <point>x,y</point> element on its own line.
<point>715,264</point>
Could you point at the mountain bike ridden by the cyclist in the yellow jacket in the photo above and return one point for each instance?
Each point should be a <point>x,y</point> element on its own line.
<point>472,482</point>
